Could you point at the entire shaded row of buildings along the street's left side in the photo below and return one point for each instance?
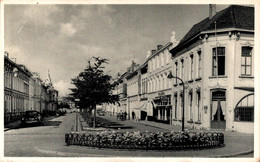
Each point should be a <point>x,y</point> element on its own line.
<point>25,90</point>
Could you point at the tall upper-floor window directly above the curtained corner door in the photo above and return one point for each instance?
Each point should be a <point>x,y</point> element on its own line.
<point>218,59</point>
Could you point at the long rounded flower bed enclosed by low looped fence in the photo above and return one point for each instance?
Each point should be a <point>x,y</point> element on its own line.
<point>146,140</point>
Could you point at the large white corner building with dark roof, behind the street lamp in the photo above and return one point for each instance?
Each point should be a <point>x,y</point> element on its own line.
<point>215,61</point>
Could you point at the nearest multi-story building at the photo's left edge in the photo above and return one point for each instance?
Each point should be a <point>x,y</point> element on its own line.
<point>16,89</point>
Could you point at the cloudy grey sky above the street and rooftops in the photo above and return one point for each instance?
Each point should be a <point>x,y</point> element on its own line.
<point>62,38</point>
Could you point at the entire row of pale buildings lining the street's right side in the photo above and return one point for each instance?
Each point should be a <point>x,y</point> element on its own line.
<point>215,61</point>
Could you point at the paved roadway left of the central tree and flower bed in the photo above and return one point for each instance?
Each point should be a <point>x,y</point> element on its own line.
<point>23,141</point>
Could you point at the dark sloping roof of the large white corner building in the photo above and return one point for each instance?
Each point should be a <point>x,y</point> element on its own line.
<point>232,17</point>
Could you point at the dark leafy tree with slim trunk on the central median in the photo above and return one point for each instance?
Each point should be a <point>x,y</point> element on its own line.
<point>93,87</point>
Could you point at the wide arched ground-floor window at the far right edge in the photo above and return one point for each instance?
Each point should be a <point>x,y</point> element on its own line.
<point>244,110</point>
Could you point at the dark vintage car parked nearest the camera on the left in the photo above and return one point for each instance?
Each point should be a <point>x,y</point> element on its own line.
<point>31,116</point>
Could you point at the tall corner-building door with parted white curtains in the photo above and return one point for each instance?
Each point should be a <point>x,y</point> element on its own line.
<point>218,109</point>
